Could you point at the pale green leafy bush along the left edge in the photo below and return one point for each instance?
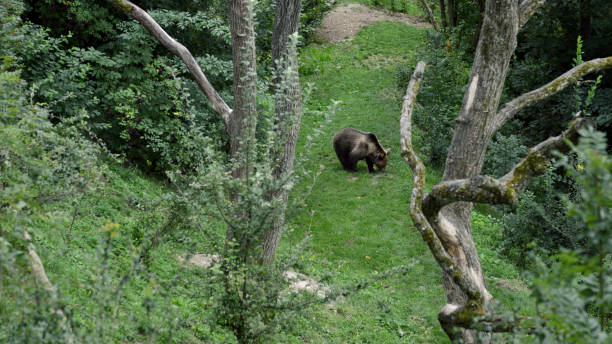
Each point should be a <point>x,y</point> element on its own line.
<point>39,162</point>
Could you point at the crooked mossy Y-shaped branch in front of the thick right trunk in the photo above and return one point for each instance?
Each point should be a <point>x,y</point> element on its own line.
<point>424,211</point>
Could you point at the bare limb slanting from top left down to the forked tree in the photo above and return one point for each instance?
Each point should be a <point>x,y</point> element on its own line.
<point>180,51</point>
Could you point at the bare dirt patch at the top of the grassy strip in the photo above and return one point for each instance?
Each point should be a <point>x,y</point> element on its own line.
<point>343,22</point>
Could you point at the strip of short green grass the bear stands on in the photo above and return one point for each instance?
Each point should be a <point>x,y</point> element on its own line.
<point>359,222</point>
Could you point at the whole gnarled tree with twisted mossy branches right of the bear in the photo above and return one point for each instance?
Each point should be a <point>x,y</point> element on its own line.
<point>443,216</point>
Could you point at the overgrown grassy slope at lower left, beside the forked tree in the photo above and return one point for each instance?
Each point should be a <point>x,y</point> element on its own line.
<point>88,282</point>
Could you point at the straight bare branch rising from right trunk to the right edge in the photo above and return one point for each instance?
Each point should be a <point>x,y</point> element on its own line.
<point>553,87</point>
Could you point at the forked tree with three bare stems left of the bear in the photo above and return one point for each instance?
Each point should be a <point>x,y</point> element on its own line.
<point>240,122</point>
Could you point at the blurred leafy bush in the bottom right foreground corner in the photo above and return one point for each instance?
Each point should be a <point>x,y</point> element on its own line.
<point>574,294</point>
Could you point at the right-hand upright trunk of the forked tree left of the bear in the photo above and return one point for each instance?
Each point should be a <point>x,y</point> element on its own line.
<point>288,110</point>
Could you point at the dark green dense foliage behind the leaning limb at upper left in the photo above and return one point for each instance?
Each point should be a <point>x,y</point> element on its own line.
<point>140,98</point>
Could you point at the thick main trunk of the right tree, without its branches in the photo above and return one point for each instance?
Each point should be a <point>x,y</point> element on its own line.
<point>472,133</point>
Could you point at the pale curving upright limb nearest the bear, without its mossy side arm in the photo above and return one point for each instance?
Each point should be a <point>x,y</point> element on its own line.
<point>418,186</point>
